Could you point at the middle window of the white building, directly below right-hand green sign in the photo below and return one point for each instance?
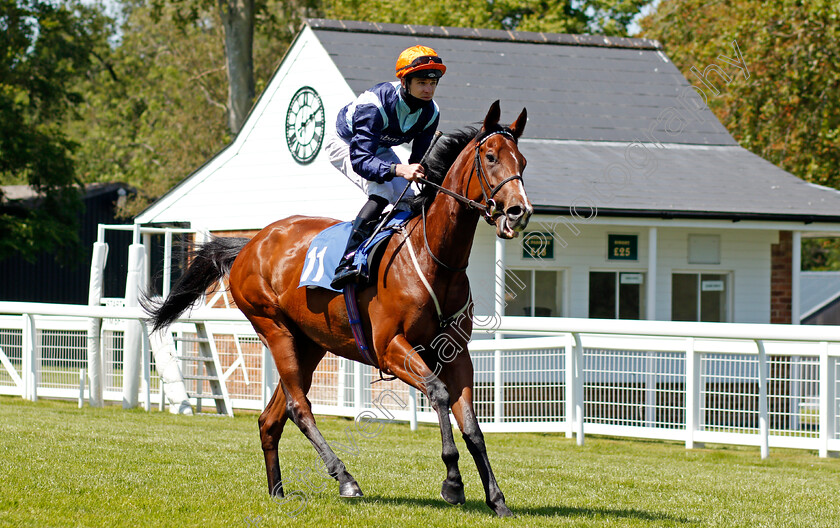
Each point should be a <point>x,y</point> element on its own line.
<point>616,295</point>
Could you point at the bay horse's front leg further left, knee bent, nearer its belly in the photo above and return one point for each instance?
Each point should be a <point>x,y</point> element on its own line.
<point>405,363</point>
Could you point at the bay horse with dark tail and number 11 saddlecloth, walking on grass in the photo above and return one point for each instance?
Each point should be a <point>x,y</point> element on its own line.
<point>475,170</point>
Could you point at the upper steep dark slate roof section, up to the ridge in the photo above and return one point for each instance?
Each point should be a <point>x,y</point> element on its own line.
<point>582,87</point>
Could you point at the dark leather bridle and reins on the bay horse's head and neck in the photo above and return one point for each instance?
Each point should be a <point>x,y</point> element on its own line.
<point>489,210</point>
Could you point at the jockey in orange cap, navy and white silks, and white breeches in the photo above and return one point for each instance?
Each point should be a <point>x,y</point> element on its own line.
<point>389,114</point>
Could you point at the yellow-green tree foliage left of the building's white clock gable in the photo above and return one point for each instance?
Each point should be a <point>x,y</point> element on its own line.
<point>155,102</point>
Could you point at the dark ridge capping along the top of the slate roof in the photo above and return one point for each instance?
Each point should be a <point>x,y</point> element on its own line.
<point>483,34</point>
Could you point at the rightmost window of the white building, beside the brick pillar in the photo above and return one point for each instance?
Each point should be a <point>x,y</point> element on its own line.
<point>699,297</point>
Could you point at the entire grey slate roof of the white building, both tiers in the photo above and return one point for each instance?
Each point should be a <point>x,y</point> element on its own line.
<point>590,101</point>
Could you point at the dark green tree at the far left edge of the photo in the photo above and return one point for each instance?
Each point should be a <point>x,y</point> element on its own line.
<point>43,48</point>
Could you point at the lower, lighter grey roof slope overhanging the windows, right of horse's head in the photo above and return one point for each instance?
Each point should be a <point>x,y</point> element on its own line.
<point>671,181</point>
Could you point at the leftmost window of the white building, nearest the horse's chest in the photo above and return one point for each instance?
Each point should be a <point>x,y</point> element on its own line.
<point>534,293</point>
